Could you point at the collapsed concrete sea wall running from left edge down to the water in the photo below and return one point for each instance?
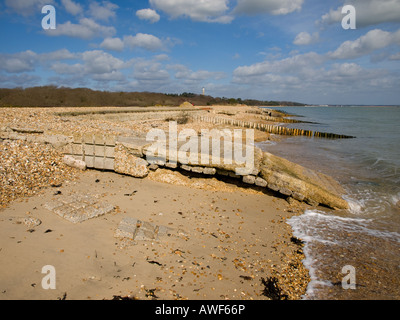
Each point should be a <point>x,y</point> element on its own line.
<point>136,157</point>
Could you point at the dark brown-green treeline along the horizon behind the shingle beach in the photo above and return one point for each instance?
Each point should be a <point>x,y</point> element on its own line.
<point>52,96</point>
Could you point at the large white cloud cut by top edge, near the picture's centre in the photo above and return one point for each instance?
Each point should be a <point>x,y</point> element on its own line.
<point>204,11</point>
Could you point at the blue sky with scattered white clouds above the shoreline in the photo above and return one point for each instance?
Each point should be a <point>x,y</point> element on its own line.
<point>285,50</point>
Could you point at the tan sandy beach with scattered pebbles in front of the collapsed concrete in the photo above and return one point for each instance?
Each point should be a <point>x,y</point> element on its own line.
<point>226,239</point>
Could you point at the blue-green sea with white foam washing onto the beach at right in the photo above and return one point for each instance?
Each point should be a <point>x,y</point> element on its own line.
<point>350,254</point>
